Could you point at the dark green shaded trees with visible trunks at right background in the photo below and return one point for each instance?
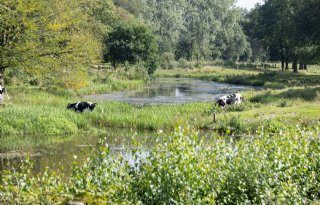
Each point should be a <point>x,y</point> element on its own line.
<point>286,31</point>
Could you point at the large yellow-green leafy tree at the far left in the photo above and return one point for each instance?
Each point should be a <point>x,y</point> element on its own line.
<point>49,39</point>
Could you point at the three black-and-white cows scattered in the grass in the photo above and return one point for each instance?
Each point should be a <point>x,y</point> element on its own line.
<point>89,106</point>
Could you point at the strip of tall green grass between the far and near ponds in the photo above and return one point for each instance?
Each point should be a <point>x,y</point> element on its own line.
<point>37,111</point>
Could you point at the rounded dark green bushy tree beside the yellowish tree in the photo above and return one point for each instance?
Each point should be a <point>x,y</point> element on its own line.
<point>132,42</point>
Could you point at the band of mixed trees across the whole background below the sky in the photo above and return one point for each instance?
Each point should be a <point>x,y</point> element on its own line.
<point>56,40</point>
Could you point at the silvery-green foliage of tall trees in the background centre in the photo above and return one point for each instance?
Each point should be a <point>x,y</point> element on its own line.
<point>197,30</point>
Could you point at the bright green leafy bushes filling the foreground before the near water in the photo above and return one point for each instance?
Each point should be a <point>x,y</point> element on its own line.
<point>281,167</point>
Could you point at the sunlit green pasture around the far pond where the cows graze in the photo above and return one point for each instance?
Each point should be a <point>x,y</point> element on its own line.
<point>286,100</point>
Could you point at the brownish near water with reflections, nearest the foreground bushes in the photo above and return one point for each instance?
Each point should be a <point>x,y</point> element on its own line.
<point>60,155</point>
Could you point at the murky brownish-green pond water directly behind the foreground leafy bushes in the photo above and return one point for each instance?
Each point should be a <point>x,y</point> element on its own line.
<point>76,148</point>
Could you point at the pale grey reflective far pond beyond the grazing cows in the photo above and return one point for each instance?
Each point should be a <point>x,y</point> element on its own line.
<point>172,90</point>
